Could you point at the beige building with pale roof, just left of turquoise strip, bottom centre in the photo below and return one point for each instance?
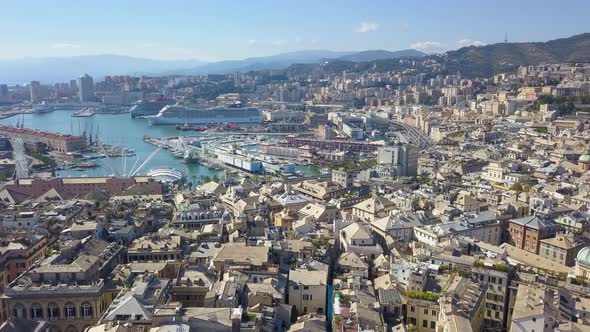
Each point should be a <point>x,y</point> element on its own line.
<point>307,291</point>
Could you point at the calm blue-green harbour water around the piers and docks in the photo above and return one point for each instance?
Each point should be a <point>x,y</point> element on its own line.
<point>119,130</point>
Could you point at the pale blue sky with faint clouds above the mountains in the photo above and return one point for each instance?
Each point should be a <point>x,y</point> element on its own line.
<point>224,30</point>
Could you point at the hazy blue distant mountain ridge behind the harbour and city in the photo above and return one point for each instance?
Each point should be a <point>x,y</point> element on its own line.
<point>63,69</point>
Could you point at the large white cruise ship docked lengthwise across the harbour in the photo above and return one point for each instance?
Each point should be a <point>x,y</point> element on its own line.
<point>176,114</point>
